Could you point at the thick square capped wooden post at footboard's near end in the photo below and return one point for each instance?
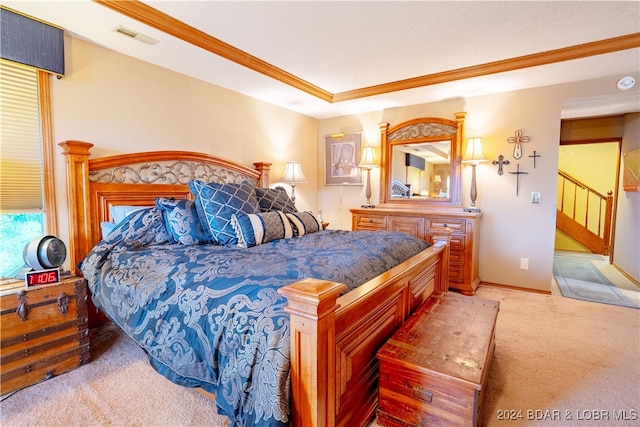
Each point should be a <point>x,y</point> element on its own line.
<point>312,307</point>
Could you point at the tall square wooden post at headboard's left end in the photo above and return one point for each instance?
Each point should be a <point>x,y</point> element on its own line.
<point>76,155</point>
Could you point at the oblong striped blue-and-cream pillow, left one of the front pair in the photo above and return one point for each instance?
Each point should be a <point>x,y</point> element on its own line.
<point>256,229</point>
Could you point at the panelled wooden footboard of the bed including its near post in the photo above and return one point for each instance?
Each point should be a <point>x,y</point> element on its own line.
<point>334,340</point>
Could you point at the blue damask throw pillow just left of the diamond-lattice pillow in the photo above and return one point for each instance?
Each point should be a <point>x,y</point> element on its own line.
<point>181,220</point>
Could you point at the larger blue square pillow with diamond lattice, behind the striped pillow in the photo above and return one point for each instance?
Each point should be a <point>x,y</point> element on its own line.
<point>216,203</point>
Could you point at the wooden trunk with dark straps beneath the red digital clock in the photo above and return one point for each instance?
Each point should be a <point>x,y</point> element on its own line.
<point>44,333</point>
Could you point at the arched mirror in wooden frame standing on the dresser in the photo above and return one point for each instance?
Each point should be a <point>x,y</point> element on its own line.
<point>421,162</point>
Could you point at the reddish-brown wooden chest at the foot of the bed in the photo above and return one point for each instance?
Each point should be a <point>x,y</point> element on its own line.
<point>434,370</point>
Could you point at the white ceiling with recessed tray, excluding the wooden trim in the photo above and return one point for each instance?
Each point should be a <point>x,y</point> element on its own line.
<point>345,45</point>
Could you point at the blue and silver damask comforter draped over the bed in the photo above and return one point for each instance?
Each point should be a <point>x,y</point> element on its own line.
<point>210,316</point>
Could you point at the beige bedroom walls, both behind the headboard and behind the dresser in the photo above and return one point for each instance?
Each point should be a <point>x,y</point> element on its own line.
<point>125,105</point>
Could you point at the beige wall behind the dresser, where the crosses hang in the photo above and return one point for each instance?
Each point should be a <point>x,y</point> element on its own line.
<point>511,227</point>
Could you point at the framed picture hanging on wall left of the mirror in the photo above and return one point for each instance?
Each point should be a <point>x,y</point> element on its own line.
<point>342,156</point>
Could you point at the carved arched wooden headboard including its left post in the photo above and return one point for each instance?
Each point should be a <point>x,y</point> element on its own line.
<point>94,185</point>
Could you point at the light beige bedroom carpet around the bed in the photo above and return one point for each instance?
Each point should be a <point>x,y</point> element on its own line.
<point>555,357</point>
